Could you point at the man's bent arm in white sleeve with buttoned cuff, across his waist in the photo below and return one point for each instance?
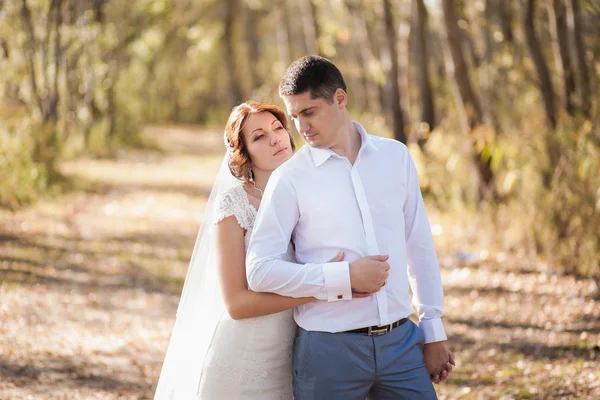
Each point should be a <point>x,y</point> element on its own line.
<point>266,269</point>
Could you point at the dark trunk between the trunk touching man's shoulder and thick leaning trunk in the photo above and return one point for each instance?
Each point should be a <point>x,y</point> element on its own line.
<point>421,28</point>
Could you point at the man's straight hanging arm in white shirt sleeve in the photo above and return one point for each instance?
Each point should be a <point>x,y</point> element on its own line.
<point>423,268</point>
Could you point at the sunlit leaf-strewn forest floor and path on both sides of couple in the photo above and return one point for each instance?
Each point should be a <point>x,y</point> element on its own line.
<point>90,282</point>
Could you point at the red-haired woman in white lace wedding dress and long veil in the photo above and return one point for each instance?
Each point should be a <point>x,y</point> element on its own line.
<point>229,342</point>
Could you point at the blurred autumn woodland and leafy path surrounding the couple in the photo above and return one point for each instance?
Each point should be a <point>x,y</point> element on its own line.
<point>111,116</point>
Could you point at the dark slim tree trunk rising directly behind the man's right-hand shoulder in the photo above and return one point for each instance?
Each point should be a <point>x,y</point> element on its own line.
<point>392,68</point>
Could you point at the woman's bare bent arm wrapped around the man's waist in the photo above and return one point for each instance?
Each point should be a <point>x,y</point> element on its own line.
<point>240,301</point>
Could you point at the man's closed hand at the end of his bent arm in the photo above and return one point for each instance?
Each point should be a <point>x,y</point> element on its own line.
<point>368,274</point>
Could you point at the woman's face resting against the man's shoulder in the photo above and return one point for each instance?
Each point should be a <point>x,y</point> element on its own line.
<point>267,141</point>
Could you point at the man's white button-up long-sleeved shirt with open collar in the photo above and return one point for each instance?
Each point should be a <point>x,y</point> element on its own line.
<point>325,205</point>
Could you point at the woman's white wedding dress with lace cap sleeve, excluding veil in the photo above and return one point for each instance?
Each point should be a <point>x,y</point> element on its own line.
<point>249,358</point>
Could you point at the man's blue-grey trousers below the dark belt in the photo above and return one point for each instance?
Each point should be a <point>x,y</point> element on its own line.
<point>350,366</point>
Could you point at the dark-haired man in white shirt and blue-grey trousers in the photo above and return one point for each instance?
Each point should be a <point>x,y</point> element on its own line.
<point>358,193</point>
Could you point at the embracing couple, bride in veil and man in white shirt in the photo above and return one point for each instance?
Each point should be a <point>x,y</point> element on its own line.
<point>298,287</point>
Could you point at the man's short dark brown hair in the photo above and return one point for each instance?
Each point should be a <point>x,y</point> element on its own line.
<point>314,74</point>
